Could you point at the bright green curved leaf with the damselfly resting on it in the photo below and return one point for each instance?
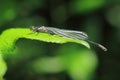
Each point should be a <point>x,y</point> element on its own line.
<point>10,36</point>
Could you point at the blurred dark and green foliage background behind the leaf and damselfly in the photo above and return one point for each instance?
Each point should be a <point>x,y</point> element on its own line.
<point>37,60</point>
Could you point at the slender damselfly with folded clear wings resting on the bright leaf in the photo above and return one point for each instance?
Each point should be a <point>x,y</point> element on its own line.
<point>79,35</point>
